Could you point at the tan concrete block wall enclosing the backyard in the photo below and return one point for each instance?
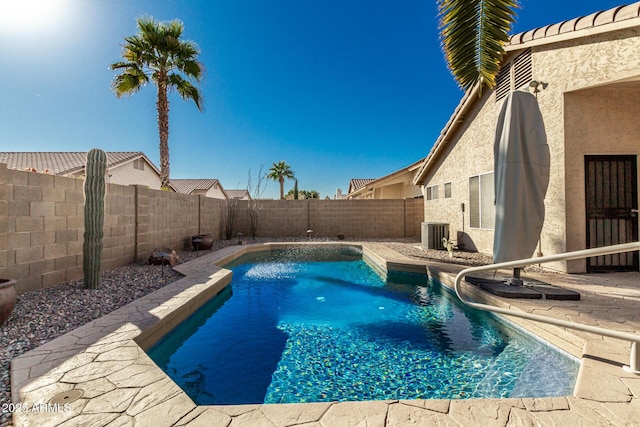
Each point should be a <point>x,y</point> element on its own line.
<point>42,223</point>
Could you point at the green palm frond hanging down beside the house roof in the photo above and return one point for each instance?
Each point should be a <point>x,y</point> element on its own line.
<point>473,34</point>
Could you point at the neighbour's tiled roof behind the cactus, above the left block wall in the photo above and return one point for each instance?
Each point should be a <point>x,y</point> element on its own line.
<point>65,162</point>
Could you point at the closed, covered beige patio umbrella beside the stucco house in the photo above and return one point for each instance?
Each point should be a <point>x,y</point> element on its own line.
<point>521,177</point>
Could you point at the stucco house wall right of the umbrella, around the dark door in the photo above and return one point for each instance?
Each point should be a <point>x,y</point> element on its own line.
<point>588,108</point>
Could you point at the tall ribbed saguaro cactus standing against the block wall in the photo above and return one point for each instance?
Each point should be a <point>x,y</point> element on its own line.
<point>94,190</point>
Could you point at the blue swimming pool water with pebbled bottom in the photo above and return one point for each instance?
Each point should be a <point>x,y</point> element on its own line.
<point>322,326</point>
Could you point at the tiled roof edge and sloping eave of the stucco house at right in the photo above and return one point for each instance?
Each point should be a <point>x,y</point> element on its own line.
<point>617,18</point>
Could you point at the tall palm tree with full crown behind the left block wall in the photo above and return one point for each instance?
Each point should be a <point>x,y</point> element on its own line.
<point>158,55</point>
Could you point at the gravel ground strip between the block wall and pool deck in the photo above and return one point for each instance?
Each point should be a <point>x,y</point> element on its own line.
<point>43,315</point>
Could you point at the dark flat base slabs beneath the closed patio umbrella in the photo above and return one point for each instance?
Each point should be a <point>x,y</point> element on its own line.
<point>531,289</point>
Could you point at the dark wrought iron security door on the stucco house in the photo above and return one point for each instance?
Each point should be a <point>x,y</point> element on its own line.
<point>611,188</point>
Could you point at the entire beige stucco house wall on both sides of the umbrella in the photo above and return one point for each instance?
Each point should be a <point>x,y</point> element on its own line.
<point>590,106</point>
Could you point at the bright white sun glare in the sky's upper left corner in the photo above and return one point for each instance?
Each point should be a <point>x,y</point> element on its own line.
<point>30,16</point>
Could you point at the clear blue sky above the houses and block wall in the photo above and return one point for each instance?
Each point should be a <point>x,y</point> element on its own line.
<point>339,89</point>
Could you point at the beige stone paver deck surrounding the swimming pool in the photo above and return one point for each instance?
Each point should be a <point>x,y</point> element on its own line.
<point>105,362</point>
